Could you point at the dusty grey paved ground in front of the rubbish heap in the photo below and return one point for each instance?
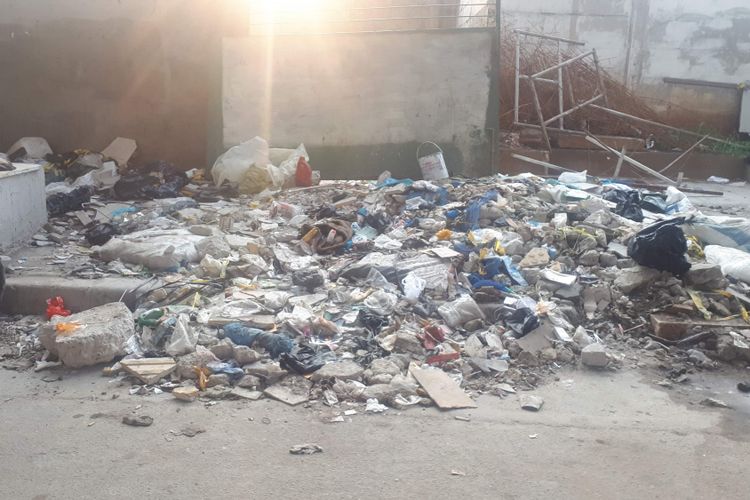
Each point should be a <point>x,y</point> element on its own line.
<point>599,435</point>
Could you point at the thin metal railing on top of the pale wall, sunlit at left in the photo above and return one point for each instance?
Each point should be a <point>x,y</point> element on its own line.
<point>357,16</point>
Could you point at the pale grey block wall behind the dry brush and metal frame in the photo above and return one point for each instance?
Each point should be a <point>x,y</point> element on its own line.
<point>643,41</point>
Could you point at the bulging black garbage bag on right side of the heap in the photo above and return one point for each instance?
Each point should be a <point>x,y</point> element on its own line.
<point>661,246</point>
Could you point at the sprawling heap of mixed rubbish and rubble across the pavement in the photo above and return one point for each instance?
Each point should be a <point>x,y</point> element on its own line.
<point>389,293</point>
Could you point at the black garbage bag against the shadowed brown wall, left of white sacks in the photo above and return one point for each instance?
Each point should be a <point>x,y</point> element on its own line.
<point>155,181</point>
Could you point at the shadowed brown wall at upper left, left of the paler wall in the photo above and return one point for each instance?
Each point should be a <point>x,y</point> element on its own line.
<point>83,72</point>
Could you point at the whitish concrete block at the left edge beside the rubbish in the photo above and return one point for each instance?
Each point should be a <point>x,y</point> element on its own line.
<point>23,207</point>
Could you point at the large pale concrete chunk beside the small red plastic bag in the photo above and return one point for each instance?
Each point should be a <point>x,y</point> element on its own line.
<point>99,335</point>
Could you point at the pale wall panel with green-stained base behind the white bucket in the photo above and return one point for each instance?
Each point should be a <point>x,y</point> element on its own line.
<point>362,103</point>
